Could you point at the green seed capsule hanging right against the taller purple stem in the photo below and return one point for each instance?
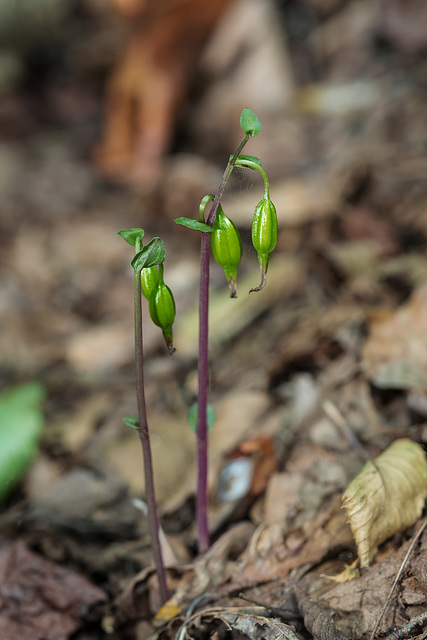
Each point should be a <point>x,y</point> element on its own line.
<point>226,248</point>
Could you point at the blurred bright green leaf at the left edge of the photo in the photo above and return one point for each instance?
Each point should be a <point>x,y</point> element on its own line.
<point>21,423</point>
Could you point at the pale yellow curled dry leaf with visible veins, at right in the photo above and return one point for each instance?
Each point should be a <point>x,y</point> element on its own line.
<point>386,497</point>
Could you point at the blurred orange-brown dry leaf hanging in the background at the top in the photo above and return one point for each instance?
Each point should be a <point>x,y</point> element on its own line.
<point>148,82</point>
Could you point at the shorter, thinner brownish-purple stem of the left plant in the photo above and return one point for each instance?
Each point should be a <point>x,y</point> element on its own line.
<point>144,436</point>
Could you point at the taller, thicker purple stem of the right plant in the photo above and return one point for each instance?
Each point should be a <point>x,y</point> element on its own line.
<point>203,365</point>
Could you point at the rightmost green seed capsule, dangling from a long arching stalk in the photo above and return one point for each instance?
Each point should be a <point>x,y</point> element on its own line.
<point>264,235</point>
